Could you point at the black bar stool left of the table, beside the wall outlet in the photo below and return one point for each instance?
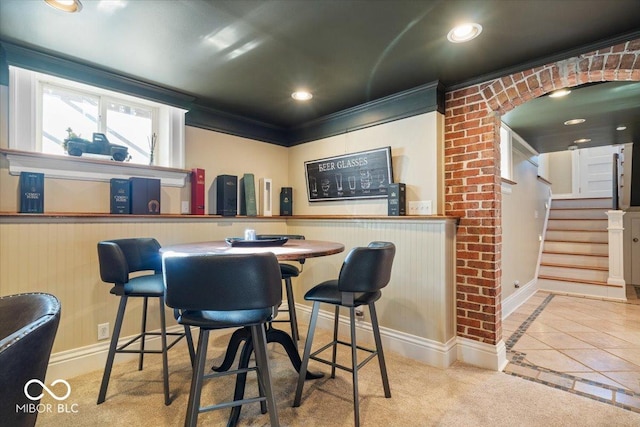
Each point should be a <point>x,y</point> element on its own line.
<point>118,258</point>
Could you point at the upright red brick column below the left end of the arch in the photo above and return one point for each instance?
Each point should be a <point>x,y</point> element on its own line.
<point>472,183</point>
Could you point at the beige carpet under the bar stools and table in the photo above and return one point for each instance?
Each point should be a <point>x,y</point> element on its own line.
<point>421,396</point>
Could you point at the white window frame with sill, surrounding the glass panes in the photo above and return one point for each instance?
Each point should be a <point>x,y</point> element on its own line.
<point>25,132</point>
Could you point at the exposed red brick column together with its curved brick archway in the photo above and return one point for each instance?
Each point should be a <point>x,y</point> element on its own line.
<point>472,172</point>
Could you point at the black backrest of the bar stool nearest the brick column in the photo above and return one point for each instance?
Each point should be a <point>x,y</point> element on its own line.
<point>367,269</point>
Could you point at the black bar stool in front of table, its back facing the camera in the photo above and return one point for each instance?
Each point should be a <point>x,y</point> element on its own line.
<point>225,291</point>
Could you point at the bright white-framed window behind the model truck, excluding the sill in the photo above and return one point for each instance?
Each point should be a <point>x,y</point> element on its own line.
<point>45,109</point>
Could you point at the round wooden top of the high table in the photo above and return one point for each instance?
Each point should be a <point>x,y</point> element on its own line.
<point>294,249</point>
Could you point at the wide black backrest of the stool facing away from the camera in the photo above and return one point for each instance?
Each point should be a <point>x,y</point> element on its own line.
<point>222,282</point>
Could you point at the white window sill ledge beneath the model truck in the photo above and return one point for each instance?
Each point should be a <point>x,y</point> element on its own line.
<point>87,169</point>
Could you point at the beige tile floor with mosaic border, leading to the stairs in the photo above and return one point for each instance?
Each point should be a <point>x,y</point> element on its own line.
<point>585,346</point>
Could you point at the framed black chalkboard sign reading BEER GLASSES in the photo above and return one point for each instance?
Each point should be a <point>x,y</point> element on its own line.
<point>363,175</point>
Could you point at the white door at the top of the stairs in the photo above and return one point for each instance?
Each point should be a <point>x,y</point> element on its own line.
<point>596,171</point>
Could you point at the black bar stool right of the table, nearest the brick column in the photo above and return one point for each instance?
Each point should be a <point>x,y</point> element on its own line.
<point>365,271</point>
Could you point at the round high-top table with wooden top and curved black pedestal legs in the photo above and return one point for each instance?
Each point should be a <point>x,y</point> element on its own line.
<point>292,250</point>
